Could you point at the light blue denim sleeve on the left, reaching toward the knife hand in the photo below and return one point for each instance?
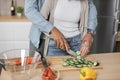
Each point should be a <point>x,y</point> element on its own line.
<point>33,14</point>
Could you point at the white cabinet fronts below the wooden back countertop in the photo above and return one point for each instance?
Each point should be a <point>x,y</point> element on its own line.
<point>14,35</point>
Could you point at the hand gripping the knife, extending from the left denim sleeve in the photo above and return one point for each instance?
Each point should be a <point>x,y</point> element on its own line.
<point>59,39</point>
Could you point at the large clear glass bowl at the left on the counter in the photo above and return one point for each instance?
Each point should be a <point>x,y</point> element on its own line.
<point>20,63</point>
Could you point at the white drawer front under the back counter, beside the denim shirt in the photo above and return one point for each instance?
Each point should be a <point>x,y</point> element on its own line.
<point>21,31</point>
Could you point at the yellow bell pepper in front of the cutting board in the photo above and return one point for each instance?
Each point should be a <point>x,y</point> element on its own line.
<point>87,74</point>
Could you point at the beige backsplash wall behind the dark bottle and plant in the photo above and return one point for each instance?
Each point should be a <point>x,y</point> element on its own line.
<point>5,6</point>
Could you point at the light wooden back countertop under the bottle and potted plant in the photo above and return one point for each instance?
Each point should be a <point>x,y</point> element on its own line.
<point>13,19</point>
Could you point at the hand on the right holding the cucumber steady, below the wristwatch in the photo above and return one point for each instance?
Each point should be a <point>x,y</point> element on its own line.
<point>86,44</point>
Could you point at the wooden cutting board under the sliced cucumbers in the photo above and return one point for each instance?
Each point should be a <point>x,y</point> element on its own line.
<point>56,63</point>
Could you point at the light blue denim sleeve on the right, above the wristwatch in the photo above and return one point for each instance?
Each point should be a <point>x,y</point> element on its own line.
<point>92,19</point>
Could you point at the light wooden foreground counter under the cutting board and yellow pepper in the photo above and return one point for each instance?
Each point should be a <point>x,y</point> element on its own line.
<point>110,70</point>
